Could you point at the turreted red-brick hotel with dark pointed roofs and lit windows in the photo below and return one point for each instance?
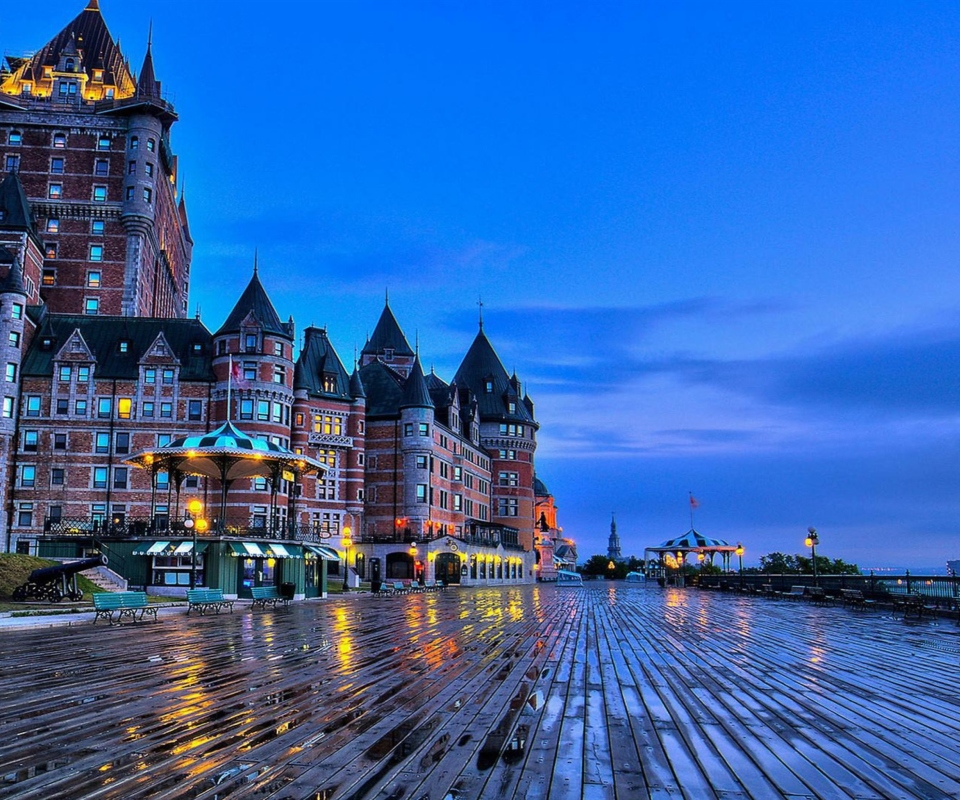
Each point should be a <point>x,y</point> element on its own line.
<point>423,478</point>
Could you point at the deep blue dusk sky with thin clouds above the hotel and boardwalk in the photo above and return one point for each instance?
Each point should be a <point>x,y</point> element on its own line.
<point>717,241</point>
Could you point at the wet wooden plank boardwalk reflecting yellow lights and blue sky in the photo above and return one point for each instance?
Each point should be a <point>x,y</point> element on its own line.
<point>528,692</point>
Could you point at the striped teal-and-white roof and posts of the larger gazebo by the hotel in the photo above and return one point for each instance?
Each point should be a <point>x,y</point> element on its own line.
<point>227,454</point>
